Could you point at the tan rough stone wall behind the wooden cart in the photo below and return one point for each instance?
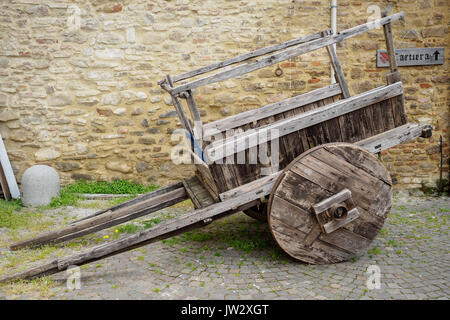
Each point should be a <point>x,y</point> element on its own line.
<point>79,78</point>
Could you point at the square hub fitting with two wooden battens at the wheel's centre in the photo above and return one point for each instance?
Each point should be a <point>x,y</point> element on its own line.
<point>336,211</point>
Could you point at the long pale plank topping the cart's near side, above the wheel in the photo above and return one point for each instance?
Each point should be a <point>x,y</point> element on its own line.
<point>301,121</point>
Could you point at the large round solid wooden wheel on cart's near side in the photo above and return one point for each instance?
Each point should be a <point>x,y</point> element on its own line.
<point>329,204</point>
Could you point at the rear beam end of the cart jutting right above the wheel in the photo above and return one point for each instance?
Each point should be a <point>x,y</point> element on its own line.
<point>393,137</point>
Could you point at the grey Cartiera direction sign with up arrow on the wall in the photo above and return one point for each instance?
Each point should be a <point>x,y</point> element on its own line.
<point>412,57</point>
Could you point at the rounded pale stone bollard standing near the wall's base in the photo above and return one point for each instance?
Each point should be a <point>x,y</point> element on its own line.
<point>40,184</point>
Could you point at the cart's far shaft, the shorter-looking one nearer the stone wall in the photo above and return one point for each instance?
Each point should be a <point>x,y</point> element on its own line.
<point>107,219</point>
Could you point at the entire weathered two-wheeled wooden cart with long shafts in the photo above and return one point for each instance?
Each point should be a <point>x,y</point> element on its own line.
<point>323,192</point>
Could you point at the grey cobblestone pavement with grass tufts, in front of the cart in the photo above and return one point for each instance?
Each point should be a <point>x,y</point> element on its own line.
<point>236,258</point>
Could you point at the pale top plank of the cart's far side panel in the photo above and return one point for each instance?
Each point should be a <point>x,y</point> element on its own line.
<point>269,110</point>
